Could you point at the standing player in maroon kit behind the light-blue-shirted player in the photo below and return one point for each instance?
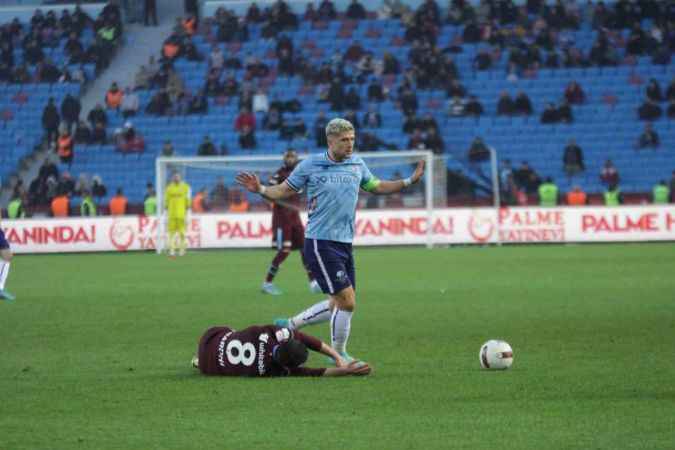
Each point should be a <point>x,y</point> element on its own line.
<point>288,233</point>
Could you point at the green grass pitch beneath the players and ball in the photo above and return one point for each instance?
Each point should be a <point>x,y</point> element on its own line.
<point>95,352</point>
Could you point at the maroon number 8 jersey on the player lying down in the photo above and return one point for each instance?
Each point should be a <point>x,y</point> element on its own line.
<point>248,352</point>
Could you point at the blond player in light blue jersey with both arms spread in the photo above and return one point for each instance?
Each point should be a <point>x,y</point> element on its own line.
<point>332,181</point>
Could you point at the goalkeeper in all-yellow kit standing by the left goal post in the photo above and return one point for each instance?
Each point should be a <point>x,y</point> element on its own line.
<point>177,203</point>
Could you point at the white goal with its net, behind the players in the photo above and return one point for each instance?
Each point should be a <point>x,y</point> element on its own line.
<point>215,178</point>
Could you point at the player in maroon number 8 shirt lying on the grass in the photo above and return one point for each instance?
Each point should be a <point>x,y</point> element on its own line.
<point>266,351</point>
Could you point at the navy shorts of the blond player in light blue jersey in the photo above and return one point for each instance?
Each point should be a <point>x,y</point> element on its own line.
<point>331,263</point>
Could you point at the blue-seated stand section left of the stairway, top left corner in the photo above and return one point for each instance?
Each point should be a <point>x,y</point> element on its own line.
<point>37,64</point>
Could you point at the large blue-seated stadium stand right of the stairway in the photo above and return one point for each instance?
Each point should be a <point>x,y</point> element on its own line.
<point>538,49</point>
